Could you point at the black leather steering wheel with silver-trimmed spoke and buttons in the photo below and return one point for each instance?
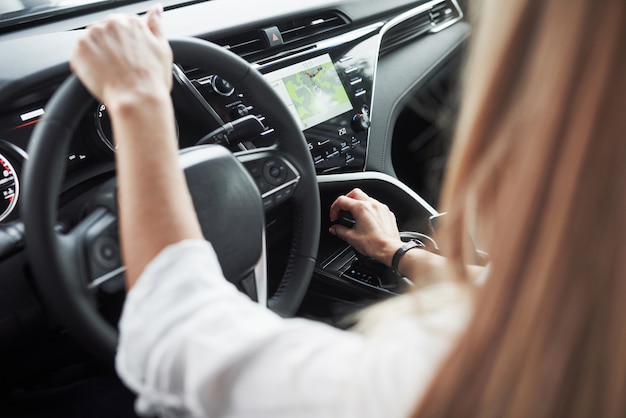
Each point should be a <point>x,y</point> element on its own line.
<point>72,267</point>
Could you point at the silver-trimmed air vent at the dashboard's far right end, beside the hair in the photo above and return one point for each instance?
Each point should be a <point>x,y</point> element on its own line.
<point>418,24</point>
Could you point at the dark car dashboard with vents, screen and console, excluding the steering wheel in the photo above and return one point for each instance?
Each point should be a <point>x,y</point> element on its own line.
<point>348,71</point>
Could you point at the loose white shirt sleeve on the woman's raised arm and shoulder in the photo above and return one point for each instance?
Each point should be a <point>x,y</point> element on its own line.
<point>192,345</point>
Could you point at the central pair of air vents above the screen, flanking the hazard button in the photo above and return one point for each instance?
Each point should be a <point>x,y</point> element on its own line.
<point>253,45</point>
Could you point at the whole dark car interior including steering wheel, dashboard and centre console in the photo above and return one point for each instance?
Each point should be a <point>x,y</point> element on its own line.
<point>280,108</point>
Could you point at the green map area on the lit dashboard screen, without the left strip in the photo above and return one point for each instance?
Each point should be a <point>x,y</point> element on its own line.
<point>317,94</point>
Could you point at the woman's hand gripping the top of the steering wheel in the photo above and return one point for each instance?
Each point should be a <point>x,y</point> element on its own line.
<point>124,58</point>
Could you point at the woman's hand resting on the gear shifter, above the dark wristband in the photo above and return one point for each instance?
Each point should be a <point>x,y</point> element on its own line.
<point>375,232</point>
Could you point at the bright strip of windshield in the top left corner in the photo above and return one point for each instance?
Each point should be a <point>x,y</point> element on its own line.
<point>21,11</point>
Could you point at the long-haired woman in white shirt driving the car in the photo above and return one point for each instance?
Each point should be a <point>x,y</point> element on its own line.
<point>538,153</point>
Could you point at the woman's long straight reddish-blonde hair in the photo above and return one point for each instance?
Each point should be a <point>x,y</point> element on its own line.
<point>541,152</point>
